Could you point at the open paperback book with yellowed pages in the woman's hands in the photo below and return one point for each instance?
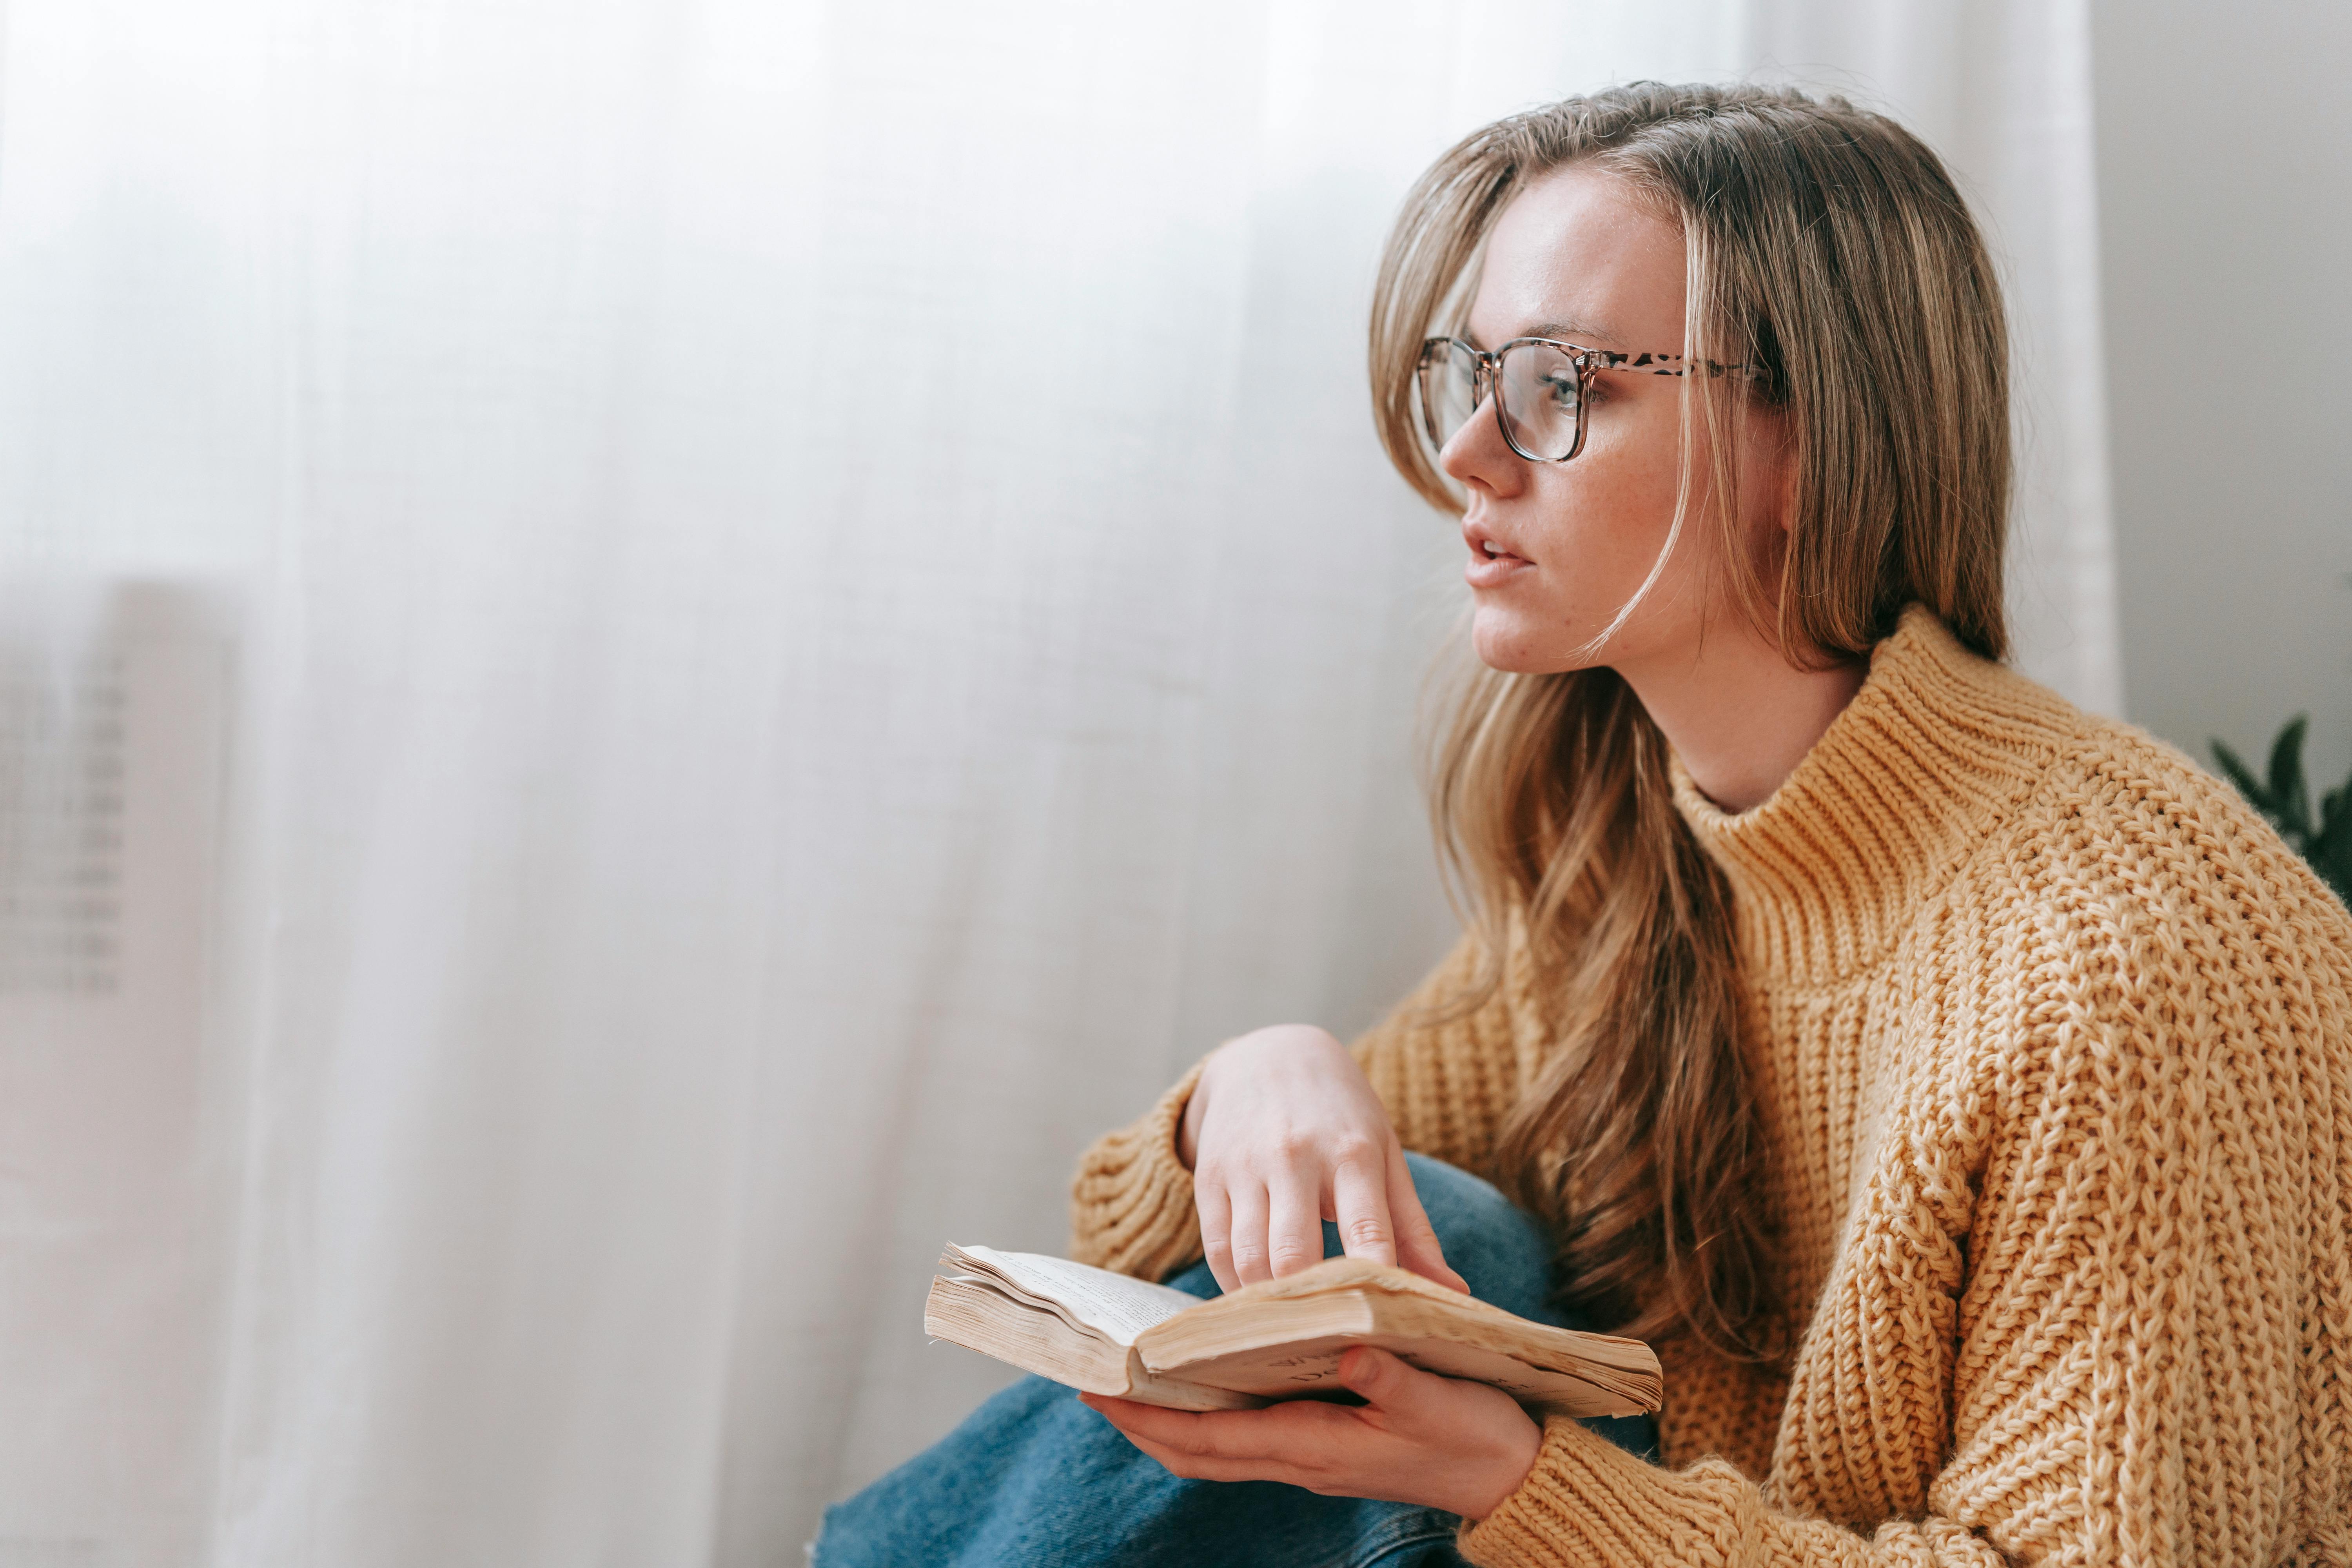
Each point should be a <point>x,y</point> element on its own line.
<point>1281,1339</point>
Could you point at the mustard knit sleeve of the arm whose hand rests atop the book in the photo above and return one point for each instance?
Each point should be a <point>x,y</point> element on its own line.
<point>1445,1076</point>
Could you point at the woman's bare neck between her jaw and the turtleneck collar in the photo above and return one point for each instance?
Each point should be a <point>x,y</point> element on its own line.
<point>1737,713</point>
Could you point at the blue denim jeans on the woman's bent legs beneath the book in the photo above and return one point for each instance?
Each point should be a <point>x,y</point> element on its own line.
<point>1036,1480</point>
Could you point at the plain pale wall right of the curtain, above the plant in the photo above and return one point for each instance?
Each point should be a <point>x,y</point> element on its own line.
<point>2226,213</point>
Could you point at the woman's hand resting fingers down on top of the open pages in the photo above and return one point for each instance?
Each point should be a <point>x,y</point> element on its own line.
<point>1283,1134</point>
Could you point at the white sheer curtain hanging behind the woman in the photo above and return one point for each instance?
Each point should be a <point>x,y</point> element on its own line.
<point>653,655</point>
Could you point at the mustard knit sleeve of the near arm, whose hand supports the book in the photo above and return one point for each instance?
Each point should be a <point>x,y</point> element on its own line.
<point>2134,1329</point>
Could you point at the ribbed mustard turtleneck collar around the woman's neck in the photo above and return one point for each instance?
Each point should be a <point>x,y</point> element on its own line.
<point>1920,768</point>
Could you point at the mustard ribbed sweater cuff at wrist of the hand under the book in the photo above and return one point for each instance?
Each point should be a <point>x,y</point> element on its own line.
<point>1586,1501</point>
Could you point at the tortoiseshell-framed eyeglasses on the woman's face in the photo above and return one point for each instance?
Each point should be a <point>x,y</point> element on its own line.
<point>1537,387</point>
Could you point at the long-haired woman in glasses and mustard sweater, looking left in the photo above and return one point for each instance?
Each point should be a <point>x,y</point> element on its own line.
<point>1956,1087</point>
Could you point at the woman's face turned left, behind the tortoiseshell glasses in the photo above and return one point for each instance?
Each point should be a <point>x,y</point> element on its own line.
<point>1558,549</point>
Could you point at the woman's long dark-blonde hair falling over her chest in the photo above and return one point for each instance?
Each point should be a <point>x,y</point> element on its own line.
<point>1831,248</point>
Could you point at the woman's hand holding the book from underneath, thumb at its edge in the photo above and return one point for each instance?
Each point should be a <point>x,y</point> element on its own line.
<point>1424,1440</point>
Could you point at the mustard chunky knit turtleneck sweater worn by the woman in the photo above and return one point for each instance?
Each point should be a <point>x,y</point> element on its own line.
<point>2052,1050</point>
